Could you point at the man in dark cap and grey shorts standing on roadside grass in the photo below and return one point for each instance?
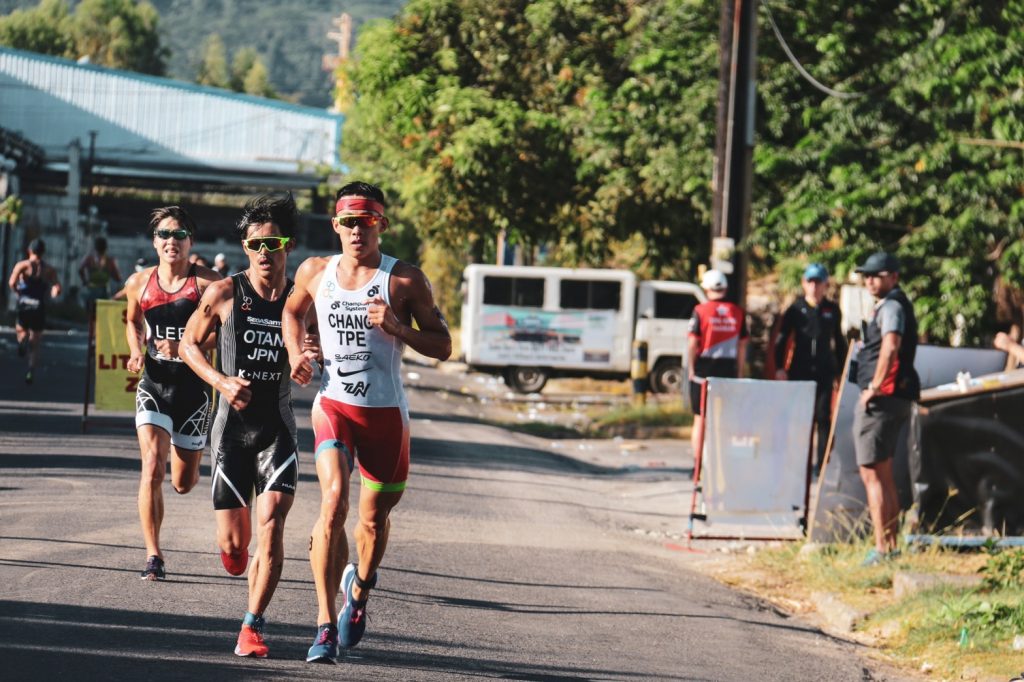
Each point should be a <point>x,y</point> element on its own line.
<point>889,387</point>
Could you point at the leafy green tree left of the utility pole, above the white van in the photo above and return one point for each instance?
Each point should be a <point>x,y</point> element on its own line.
<point>525,117</point>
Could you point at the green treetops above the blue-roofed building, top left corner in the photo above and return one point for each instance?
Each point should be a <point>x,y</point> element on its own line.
<point>120,34</point>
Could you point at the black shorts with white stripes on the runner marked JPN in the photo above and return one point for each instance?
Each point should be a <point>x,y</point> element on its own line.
<point>251,459</point>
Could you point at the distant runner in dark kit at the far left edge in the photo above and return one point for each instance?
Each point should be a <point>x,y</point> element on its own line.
<point>34,282</point>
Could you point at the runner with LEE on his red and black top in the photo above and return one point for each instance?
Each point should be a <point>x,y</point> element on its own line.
<point>173,405</point>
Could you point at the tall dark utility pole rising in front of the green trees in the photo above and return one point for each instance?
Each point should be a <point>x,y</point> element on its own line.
<point>735,144</point>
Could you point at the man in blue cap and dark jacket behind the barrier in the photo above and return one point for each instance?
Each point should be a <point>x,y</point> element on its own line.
<point>810,347</point>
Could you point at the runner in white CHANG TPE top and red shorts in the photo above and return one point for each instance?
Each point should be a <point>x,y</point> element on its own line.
<point>366,305</point>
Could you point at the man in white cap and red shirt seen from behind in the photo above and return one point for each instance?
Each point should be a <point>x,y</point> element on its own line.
<point>717,344</point>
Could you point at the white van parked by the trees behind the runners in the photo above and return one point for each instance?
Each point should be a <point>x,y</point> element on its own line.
<point>529,324</point>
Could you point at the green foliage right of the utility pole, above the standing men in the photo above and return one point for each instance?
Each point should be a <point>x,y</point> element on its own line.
<point>899,169</point>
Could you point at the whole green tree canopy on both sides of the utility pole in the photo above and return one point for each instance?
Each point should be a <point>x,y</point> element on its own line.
<point>588,127</point>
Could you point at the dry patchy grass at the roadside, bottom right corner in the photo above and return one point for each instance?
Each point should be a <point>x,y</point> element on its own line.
<point>951,631</point>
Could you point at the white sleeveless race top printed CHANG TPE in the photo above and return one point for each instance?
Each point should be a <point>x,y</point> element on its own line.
<point>362,364</point>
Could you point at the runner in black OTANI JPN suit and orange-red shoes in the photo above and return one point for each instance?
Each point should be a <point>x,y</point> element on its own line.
<point>254,447</point>
